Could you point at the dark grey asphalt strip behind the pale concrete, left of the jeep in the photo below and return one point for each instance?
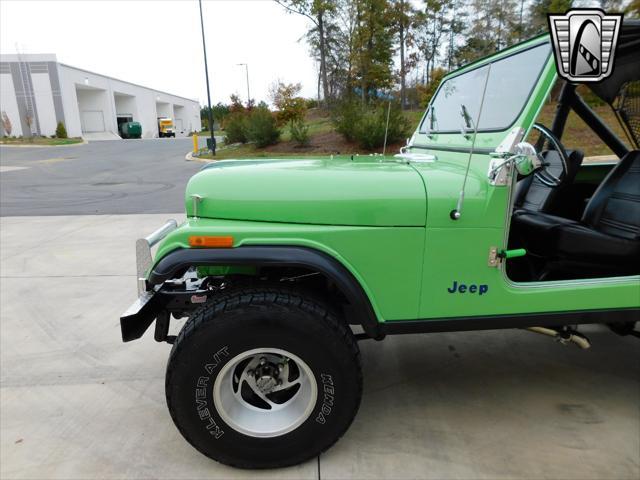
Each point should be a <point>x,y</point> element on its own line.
<point>107,177</point>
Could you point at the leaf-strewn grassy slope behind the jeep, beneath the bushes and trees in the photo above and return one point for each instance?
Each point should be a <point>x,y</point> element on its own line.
<point>325,141</point>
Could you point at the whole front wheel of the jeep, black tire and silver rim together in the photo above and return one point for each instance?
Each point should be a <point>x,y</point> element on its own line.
<point>264,378</point>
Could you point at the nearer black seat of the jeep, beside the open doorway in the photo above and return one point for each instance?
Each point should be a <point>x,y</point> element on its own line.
<point>605,242</point>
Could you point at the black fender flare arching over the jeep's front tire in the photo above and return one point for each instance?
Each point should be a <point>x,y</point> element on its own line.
<point>178,261</point>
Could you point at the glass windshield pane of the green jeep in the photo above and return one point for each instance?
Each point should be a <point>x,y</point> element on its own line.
<point>511,80</point>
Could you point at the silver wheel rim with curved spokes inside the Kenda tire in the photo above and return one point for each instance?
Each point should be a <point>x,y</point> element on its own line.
<point>265,392</point>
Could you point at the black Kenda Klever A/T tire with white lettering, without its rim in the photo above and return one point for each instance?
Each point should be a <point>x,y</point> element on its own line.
<point>258,317</point>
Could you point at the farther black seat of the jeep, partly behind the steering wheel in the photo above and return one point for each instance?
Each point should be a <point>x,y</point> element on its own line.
<point>534,196</point>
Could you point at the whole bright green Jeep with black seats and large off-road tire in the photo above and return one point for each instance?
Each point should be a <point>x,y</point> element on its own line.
<point>282,266</point>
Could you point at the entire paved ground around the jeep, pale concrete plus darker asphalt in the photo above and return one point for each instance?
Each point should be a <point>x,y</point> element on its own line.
<point>75,402</point>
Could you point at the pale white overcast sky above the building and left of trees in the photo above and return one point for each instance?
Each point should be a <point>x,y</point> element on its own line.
<point>158,43</point>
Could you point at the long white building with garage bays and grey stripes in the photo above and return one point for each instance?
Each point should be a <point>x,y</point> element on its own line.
<point>37,92</point>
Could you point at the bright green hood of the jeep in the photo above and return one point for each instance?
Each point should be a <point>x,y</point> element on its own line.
<point>365,191</point>
